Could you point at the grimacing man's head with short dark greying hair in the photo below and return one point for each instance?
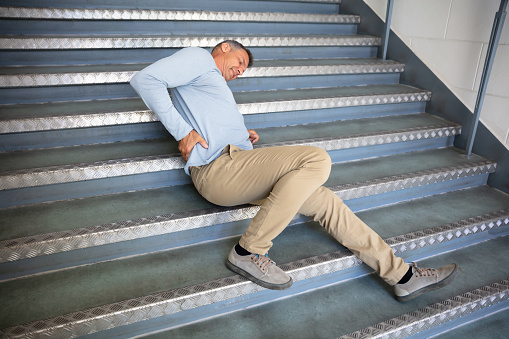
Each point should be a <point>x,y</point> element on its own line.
<point>232,58</point>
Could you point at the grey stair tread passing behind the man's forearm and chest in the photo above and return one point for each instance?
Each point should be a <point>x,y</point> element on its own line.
<point>136,104</point>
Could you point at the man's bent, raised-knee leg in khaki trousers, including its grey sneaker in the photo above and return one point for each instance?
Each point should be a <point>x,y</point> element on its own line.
<point>283,177</point>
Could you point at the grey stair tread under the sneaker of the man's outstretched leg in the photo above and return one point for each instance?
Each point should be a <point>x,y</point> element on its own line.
<point>335,310</point>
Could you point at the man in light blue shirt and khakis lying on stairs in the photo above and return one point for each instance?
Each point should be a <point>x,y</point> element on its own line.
<point>284,181</point>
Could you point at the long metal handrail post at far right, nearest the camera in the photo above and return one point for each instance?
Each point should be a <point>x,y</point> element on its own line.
<point>496,31</point>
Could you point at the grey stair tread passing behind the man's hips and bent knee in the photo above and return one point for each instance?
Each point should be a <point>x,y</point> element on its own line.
<point>87,212</point>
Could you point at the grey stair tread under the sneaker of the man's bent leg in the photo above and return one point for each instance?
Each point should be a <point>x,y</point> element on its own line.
<point>83,283</point>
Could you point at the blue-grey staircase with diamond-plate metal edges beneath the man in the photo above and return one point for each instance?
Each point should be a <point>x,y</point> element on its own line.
<point>102,233</point>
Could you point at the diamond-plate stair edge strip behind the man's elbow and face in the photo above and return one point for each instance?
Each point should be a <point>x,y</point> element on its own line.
<point>64,79</point>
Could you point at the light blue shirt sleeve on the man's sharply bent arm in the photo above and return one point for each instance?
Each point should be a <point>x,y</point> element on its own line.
<point>152,85</point>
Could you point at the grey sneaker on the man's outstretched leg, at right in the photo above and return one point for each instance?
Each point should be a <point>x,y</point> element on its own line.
<point>425,280</point>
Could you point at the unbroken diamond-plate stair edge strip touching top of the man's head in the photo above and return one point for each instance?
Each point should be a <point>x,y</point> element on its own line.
<point>31,43</point>
